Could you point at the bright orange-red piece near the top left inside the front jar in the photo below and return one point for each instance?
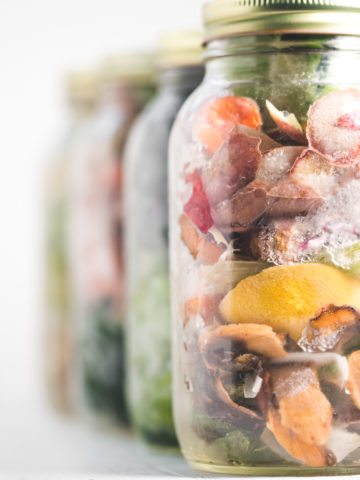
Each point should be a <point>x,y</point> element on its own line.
<point>217,117</point>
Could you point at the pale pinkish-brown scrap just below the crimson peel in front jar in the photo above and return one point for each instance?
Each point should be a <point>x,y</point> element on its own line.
<point>205,251</point>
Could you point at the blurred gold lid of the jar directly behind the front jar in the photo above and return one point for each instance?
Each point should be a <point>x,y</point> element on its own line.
<point>180,48</point>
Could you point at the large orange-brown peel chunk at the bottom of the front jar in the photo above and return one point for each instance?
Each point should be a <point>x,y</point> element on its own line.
<point>299,414</point>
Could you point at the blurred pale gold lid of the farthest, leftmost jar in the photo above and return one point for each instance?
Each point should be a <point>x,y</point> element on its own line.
<point>82,86</point>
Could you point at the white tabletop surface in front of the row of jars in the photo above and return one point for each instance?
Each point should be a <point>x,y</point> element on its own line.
<point>35,444</point>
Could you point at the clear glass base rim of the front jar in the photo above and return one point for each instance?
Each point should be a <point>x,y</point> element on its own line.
<point>273,471</point>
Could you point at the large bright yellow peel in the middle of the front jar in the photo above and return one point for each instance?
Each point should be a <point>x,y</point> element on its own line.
<point>288,297</point>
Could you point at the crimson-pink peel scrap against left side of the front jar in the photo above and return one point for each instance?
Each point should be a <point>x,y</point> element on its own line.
<point>198,208</point>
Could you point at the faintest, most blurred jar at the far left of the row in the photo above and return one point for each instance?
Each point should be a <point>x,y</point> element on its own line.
<point>82,93</point>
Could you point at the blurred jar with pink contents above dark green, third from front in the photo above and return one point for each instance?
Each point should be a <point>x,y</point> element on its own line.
<point>95,238</point>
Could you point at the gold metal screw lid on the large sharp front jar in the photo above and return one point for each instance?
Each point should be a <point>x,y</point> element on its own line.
<point>244,17</point>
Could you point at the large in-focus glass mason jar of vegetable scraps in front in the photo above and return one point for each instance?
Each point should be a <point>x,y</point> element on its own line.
<point>265,242</point>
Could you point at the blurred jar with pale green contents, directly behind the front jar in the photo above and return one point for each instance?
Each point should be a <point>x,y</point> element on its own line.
<point>148,325</point>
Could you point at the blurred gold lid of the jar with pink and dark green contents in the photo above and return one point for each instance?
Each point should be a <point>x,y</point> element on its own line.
<point>130,67</point>
